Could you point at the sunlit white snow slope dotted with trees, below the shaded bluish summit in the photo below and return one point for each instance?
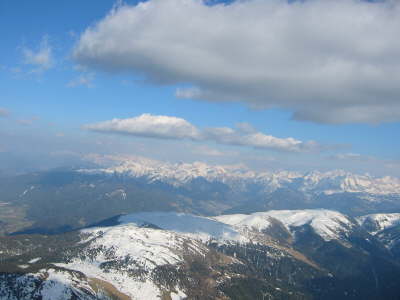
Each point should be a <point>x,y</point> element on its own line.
<point>113,253</point>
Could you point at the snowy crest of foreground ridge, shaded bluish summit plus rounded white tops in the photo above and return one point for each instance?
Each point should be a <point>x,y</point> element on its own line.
<point>230,228</point>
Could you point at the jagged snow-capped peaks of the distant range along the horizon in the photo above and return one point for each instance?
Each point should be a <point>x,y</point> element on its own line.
<point>179,174</point>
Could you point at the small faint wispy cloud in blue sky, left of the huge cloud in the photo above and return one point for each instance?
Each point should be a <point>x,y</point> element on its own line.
<point>41,59</point>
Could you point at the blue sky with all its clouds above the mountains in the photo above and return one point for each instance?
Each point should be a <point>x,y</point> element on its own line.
<point>267,84</point>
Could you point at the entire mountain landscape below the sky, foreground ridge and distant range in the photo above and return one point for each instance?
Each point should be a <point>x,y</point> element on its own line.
<point>145,229</point>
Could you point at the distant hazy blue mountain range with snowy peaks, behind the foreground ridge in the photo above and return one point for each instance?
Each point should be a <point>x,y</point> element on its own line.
<point>63,199</point>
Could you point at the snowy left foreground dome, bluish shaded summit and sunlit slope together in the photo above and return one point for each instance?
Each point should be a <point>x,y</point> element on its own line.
<point>129,254</point>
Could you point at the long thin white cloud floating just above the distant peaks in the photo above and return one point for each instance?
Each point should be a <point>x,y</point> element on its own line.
<point>147,125</point>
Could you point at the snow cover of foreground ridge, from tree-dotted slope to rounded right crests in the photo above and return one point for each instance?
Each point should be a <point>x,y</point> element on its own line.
<point>150,239</point>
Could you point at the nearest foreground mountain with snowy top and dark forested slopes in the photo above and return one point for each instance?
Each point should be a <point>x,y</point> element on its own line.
<point>168,255</point>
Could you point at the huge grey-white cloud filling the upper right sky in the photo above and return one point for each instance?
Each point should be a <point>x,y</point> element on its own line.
<point>325,61</point>
